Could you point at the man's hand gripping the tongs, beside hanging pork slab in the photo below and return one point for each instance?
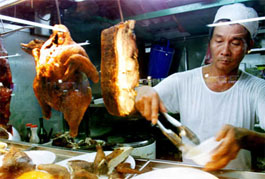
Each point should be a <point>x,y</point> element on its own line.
<point>148,103</point>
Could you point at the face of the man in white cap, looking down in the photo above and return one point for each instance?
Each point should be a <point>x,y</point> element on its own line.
<point>228,46</point>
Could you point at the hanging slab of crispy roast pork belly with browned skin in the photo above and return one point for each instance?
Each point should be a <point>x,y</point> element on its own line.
<point>119,68</point>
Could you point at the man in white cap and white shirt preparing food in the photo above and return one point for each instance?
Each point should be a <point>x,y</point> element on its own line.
<point>217,99</point>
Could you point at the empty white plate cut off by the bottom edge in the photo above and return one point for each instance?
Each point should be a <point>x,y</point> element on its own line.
<point>177,172</point>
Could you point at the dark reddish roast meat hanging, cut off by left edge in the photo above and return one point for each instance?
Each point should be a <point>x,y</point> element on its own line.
<point>5,89</point>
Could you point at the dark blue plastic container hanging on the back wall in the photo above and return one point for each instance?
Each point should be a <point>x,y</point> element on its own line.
<point>160,60</point>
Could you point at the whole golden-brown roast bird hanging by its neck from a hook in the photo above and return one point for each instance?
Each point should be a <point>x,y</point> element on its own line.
<point>62,69</point>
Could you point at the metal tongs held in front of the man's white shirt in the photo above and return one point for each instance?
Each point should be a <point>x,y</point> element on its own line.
<point>173,137</point>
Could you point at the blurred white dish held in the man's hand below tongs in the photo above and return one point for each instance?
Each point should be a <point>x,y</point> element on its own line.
<point>202,154</point>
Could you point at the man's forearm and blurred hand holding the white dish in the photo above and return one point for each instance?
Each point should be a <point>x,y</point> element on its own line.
<point>234,139</point>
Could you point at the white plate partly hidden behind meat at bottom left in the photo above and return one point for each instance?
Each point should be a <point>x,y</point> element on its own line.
<point>38,157</point>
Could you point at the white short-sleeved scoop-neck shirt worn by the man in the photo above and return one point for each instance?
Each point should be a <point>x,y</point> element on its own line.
<point>205,112</point>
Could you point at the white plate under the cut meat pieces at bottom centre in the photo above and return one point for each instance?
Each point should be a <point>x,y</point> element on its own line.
<point>89,157</point>
